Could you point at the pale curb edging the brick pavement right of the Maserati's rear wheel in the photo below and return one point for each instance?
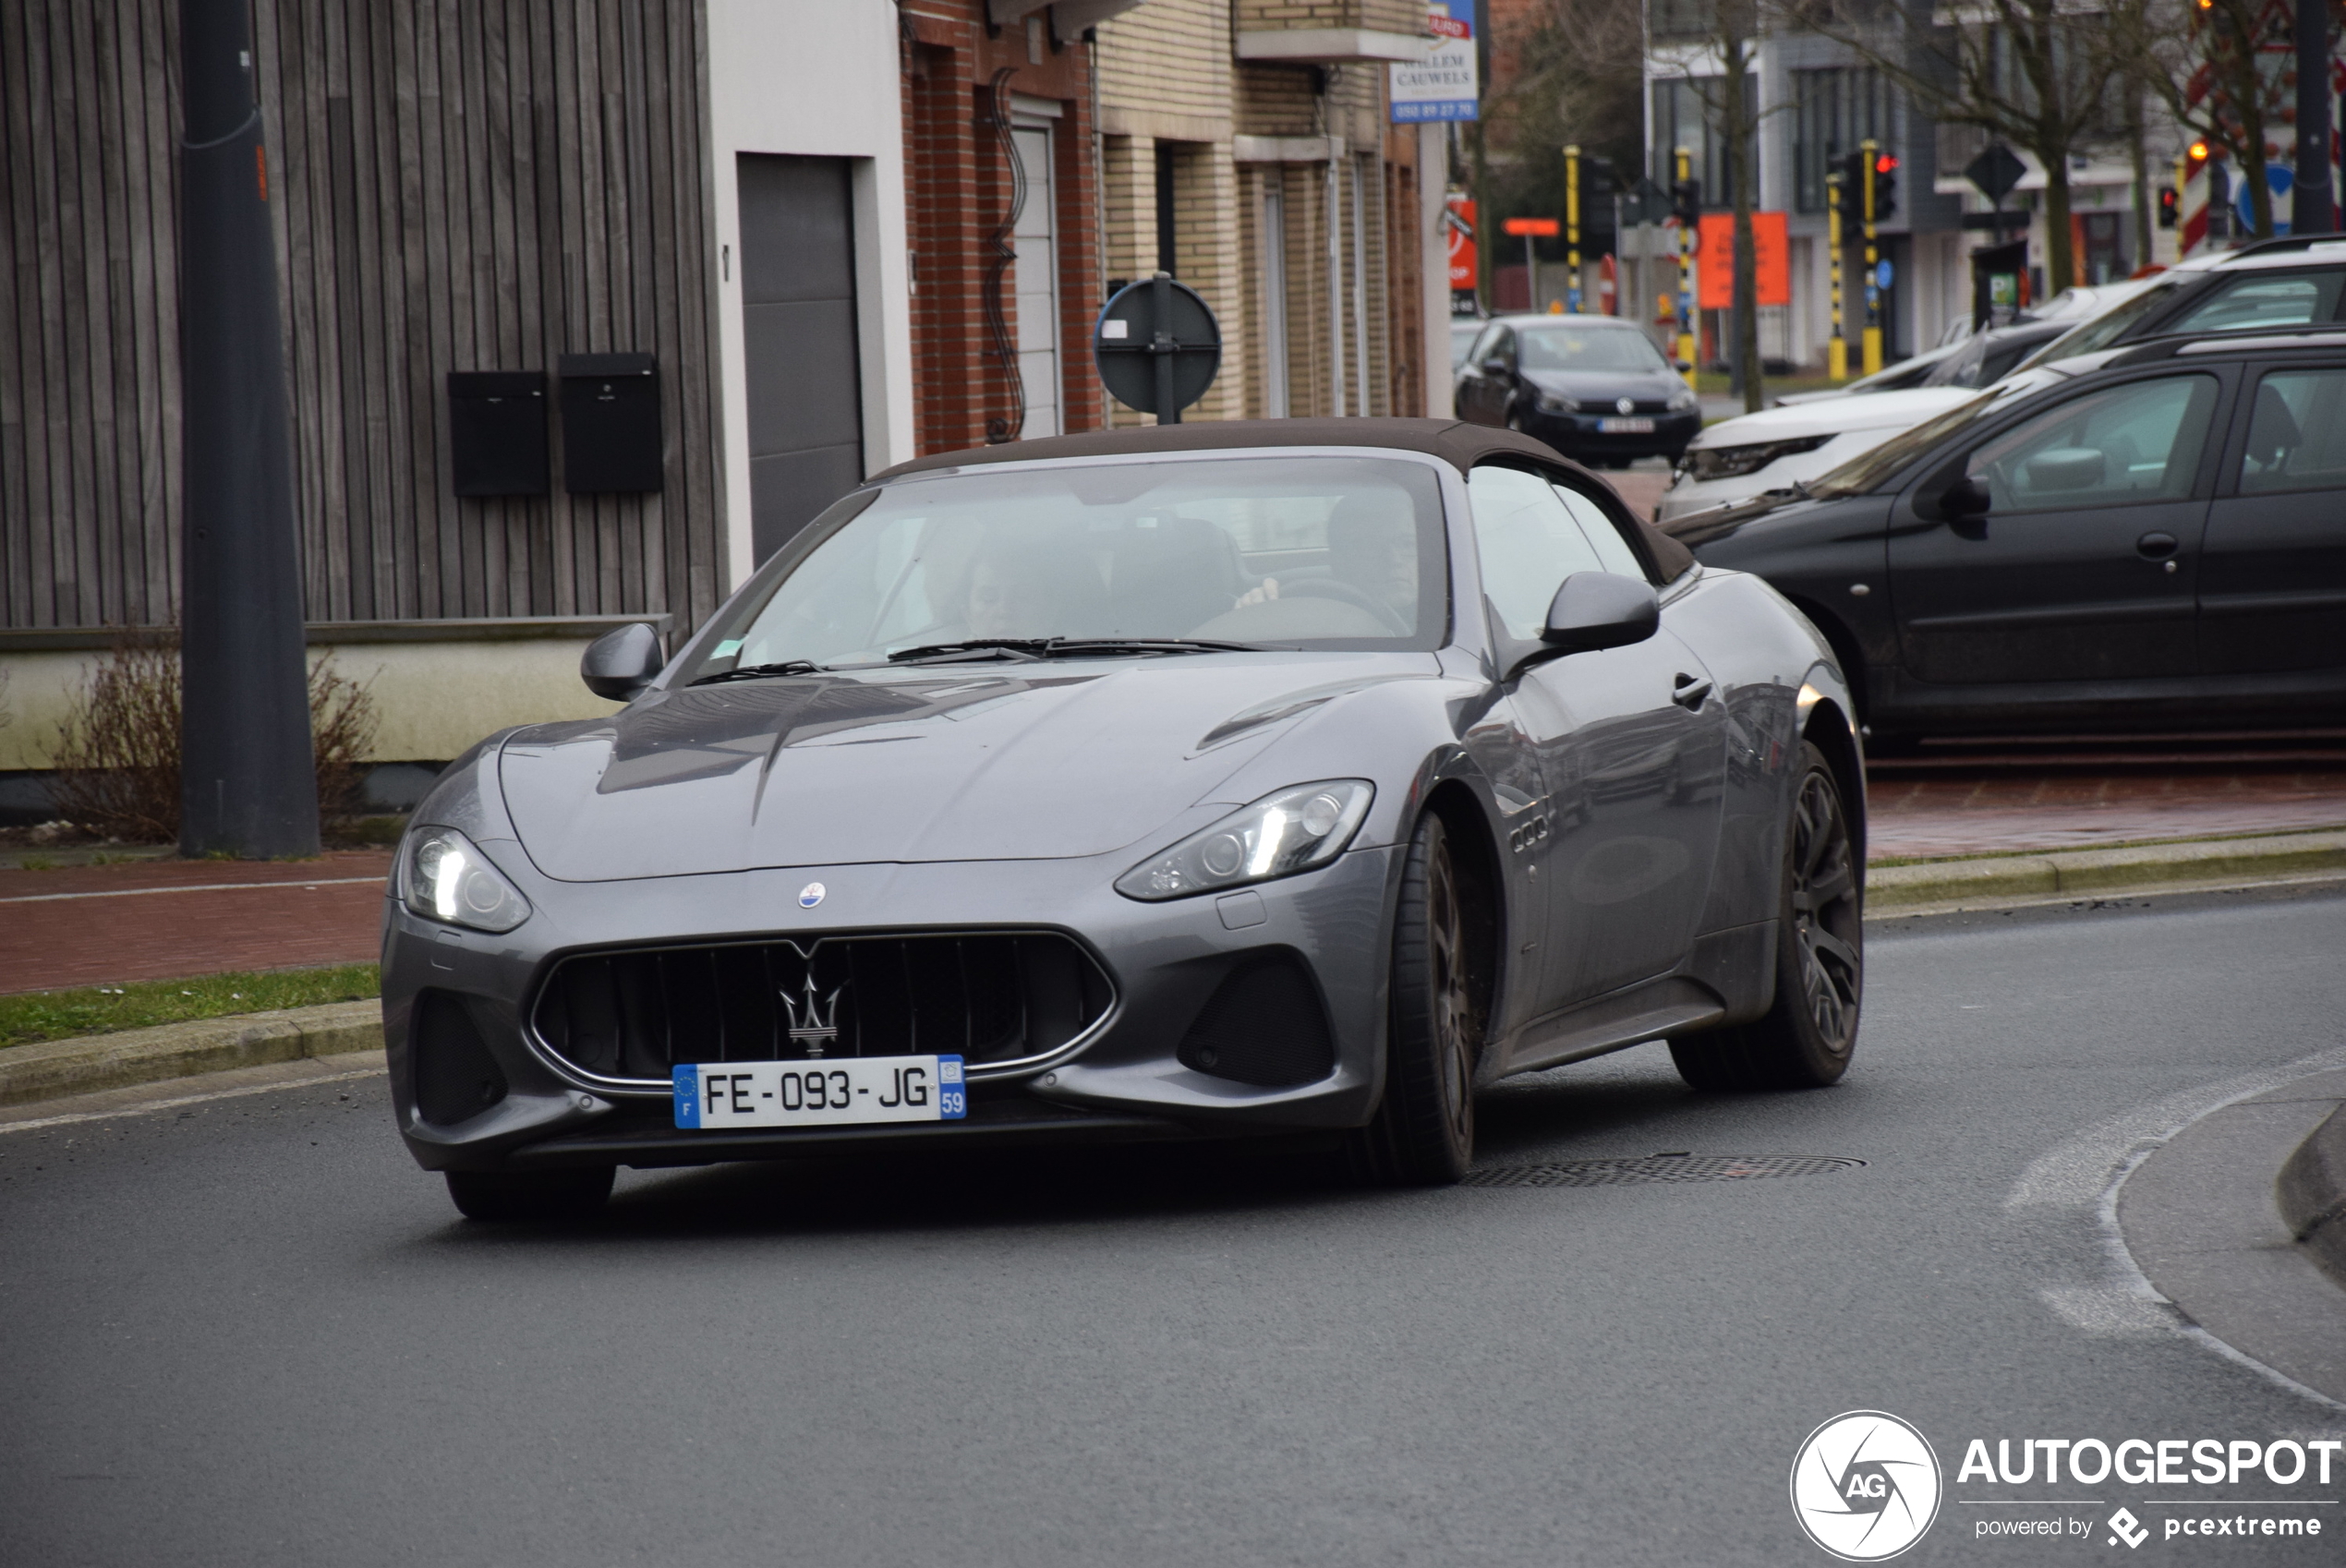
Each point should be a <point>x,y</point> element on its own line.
<point>2108,871</point>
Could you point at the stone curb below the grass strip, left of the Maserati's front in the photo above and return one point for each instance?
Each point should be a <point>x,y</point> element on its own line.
<point>184,1051</point>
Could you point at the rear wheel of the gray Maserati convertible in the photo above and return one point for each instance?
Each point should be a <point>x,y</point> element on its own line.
<point>1810,1032</point>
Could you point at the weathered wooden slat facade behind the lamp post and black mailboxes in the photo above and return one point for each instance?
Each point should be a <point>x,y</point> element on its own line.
<point>459,186</point>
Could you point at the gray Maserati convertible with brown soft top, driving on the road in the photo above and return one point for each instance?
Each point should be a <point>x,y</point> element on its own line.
<point>1207,782</point>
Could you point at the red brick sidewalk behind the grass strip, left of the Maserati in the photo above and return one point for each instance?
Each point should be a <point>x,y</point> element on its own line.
<point>165,920</point>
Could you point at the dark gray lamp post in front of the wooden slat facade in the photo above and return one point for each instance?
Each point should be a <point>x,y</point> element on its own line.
<point>248,777</point>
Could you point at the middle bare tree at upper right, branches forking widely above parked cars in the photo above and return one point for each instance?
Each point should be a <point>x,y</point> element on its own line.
<point>2035,74</point>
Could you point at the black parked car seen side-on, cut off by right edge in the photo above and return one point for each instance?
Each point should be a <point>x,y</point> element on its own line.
<point>2155,543</point>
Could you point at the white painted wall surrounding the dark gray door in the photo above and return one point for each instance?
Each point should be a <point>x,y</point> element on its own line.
<point>813,81</point>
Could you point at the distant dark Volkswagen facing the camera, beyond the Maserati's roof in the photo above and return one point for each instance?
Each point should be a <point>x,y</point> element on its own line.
<point>1594,388</point>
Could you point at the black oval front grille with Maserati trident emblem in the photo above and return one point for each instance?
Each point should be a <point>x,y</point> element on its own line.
<point>986,997</point>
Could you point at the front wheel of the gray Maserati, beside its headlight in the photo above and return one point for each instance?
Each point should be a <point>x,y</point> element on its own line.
<point>1423,1133</point>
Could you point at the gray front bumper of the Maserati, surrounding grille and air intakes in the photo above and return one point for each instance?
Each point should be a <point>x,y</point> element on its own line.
<point>1125,1079</point>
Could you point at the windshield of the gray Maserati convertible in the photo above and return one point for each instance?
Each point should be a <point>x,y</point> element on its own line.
<point>1266,552</point>
